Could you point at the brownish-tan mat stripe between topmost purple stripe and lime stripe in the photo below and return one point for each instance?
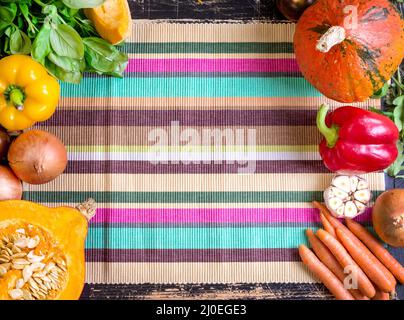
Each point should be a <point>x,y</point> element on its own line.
<point>136,135</point>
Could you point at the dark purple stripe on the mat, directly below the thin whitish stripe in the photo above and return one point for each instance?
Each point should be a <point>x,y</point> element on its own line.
<point>145,167</point>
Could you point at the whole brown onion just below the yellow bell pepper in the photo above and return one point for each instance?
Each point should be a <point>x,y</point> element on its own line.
<point>37,157</point>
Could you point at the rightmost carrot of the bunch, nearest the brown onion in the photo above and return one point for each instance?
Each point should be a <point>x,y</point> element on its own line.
<point>377,249</point>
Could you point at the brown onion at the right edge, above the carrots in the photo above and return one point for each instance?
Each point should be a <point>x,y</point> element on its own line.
<point>388,217</point>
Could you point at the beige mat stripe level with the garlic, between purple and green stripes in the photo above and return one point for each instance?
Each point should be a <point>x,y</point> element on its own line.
<point>195,182</point>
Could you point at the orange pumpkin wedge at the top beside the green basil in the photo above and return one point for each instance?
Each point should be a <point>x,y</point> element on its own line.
<point>112,20</point>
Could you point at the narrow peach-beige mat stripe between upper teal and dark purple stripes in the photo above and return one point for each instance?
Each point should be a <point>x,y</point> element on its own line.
<point>99,103</point>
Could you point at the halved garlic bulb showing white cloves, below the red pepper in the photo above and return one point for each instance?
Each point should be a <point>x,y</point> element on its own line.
<point>348,196</point>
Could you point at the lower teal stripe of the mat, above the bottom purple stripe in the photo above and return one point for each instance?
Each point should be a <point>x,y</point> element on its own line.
<point>194,238</point>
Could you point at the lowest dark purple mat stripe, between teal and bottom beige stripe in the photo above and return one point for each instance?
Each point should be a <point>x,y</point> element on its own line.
<point>191,255</point>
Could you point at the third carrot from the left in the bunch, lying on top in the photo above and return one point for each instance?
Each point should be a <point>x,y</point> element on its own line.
<point>345,260</point>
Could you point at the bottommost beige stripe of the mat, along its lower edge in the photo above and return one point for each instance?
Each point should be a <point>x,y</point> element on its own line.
<point>250,272</point>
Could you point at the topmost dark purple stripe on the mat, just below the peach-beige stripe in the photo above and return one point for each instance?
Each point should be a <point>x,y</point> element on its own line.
<point>184,117</point>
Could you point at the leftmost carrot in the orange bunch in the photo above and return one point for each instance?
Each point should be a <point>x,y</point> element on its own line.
<point>324,274</point>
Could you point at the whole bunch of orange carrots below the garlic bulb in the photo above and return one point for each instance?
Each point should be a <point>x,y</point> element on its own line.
<point>339,248</point>
